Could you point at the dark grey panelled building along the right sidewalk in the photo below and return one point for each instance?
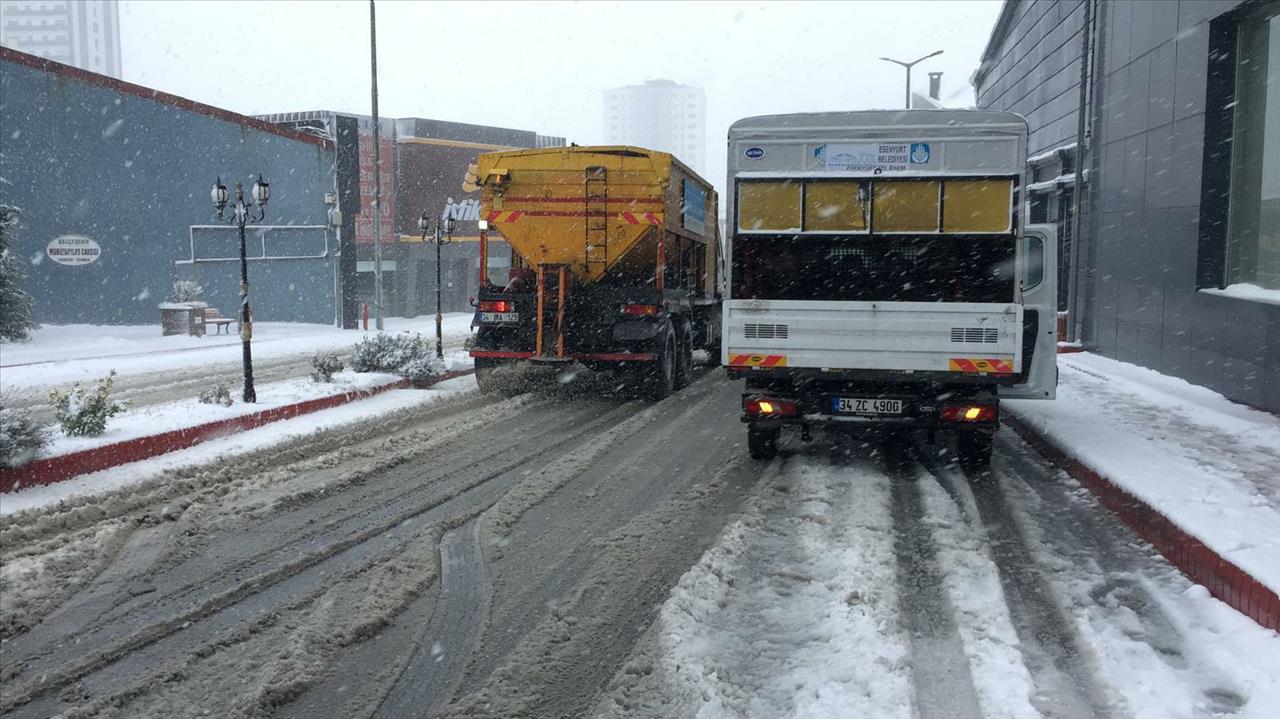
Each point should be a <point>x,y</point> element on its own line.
<point>1156,140</point>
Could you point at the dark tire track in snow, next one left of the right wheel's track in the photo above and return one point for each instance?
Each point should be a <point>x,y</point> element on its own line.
<point>944,685</point>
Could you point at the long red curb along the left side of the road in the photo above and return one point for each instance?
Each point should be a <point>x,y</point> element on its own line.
<point>53,470</point>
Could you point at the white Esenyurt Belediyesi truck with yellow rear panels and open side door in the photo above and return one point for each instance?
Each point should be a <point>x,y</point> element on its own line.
<point>881,273</point>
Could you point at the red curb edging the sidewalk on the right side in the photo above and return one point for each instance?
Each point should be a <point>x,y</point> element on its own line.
<point>1192,557</point>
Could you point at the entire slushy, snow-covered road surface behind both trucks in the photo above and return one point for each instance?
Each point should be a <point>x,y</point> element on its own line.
<point>569,553</point>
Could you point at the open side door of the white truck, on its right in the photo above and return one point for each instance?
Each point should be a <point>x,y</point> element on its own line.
<point>1037,273</point>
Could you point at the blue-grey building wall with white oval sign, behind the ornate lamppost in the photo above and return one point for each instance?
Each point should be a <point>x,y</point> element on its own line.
<point>113,182</point>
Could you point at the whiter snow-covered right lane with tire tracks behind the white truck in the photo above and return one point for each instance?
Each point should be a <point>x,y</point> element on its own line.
<point>902,588</point>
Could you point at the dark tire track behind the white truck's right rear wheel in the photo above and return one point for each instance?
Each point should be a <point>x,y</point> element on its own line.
<point>1063,675</point>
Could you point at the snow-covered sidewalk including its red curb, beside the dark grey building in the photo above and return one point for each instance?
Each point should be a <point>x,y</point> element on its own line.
<point>1195,474</point>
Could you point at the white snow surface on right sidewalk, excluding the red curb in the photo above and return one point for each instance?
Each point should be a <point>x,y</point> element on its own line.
<point>1212,466</point>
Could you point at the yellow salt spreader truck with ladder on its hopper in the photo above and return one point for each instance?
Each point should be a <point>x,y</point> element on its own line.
<point>614,265</point>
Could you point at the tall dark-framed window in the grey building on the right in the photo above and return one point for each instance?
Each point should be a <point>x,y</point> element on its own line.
<point>1254,216</point>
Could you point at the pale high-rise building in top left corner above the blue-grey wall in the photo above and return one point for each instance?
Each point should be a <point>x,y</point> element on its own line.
<point>85,34</point>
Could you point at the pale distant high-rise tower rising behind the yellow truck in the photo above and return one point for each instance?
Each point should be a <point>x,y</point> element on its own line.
<point>660,116</point>
